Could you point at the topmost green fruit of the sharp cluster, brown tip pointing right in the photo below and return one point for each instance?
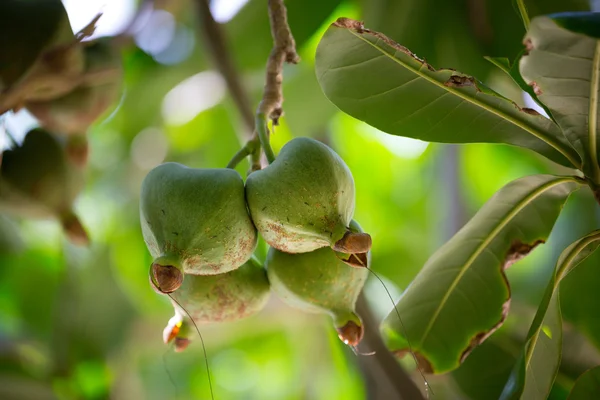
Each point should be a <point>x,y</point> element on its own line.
<point>305,200</point>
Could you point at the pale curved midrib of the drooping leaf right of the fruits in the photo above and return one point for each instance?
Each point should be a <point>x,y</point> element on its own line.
<point>484,244</point>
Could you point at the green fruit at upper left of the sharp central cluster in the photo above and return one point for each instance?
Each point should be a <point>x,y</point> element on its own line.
<point>194,221</point>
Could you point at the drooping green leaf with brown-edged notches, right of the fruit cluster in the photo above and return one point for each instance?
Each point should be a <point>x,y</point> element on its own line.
<point>461,296</point>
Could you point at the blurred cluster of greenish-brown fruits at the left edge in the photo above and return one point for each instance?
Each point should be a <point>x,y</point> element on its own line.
<point>67,83</point>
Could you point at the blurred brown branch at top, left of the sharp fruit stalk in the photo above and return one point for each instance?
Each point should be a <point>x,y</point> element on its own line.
<point>216,43</point>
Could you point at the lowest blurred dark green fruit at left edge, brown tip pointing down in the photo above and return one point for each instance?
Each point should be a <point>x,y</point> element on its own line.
<point>37,180</point>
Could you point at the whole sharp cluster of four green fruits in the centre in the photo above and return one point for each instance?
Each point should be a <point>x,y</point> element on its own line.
<point>201,226</point>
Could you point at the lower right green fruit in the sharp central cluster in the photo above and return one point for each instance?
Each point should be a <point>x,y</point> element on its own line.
<point>319,282</point>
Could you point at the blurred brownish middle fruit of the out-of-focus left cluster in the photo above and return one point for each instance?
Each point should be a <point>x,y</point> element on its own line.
<point>74,112</point>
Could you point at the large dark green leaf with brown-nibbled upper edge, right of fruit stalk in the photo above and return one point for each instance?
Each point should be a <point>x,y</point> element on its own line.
<point>373,79</point>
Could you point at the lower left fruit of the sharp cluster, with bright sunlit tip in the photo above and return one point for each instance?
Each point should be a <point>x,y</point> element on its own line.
<point>226,297</point>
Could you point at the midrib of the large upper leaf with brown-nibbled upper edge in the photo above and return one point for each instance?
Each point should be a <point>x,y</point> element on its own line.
<point>538,134</point>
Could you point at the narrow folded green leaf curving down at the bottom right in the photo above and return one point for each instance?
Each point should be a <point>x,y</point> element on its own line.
<point>534,374</point>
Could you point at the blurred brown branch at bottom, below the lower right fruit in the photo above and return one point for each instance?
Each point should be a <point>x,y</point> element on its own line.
<point>385,378</point>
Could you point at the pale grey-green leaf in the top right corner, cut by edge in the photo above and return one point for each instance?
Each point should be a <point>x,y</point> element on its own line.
<point>563,67</point>
